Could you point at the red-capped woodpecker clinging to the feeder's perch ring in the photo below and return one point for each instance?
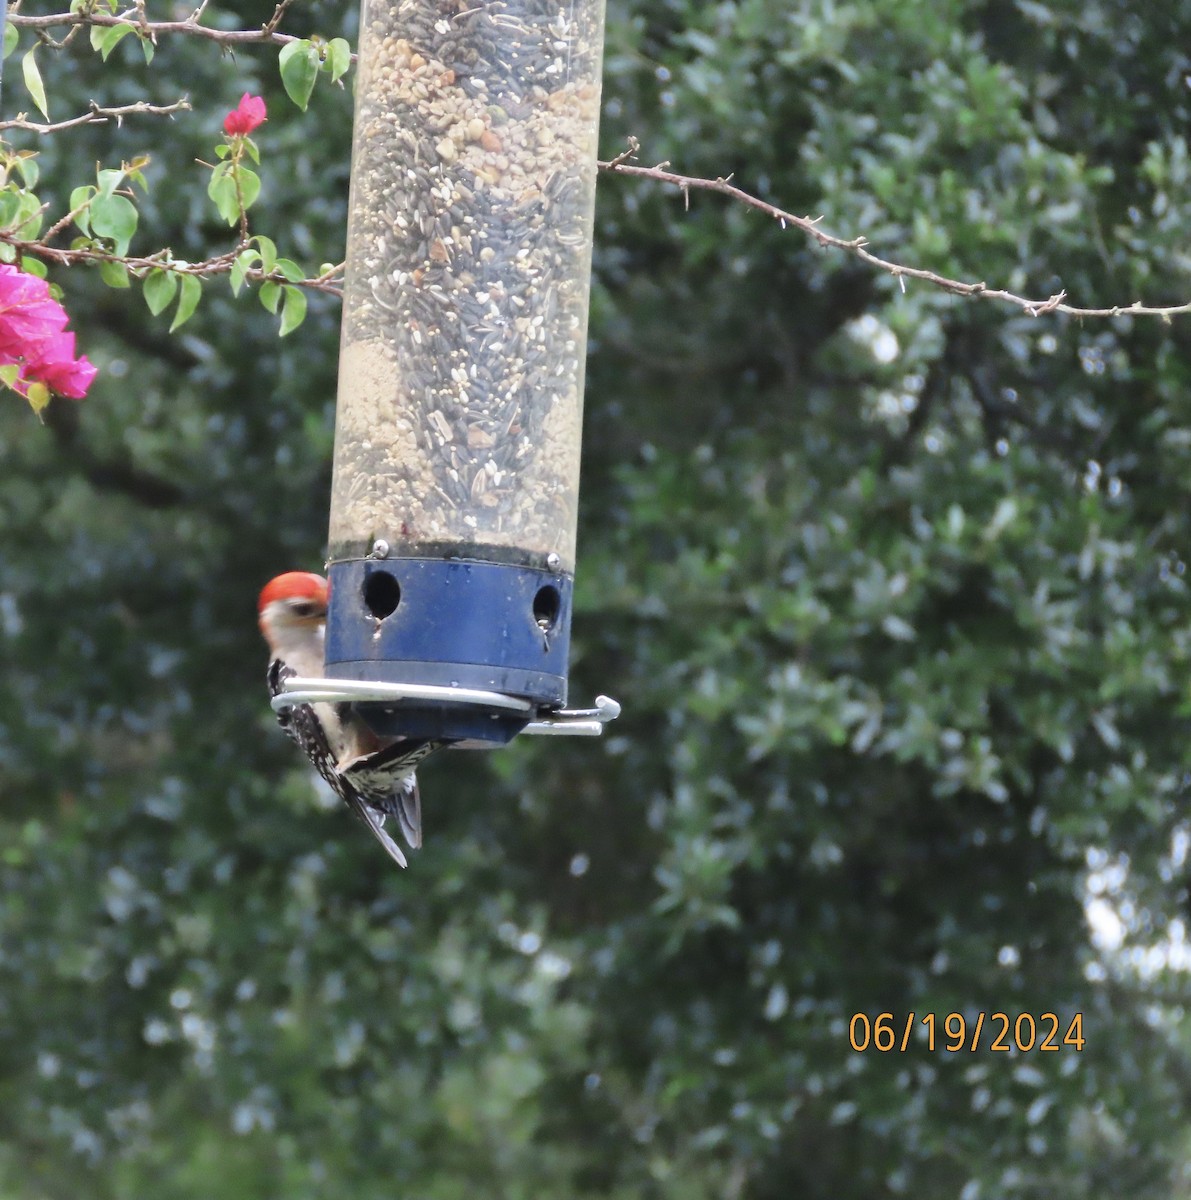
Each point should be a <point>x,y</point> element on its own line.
<point>375,778</point>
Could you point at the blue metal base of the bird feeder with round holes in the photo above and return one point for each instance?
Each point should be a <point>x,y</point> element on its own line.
<point>451,623</point>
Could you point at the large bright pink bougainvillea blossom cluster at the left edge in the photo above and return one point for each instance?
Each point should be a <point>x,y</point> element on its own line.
<point>33,338</point>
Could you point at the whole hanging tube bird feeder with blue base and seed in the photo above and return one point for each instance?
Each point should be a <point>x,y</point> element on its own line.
<point>452,545</point>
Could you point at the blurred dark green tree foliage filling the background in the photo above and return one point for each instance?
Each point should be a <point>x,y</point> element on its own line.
<point>891,585</point>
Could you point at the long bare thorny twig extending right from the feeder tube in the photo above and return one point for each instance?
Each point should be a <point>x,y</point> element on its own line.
<point>857,248</point>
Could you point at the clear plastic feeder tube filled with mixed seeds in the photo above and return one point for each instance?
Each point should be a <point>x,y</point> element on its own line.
<point>469,261</point>
